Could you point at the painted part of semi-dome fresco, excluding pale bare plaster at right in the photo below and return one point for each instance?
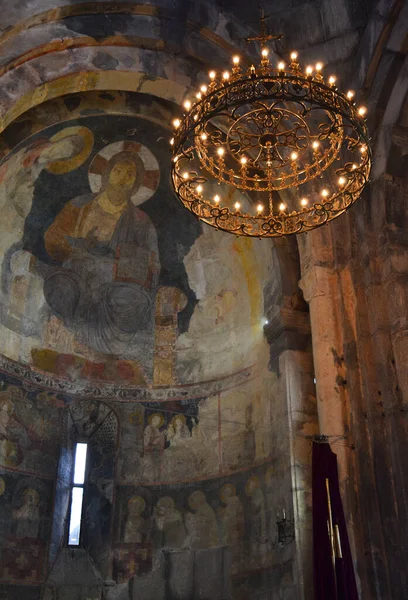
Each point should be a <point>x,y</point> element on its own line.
<point>88,272</point>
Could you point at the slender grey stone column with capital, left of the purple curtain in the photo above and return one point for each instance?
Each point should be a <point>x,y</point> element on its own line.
<point>289,336</point>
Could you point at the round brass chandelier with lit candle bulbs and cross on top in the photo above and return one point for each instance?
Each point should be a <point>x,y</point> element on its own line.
<point>270,150</point>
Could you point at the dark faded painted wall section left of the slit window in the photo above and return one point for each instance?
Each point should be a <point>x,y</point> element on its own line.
<point>30,427</point>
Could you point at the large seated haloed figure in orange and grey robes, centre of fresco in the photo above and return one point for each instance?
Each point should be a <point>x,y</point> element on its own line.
<point>105,286</point>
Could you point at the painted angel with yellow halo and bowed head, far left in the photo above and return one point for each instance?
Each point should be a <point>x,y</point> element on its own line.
<point>21,287</point>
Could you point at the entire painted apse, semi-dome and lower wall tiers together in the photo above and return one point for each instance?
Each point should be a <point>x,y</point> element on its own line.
<point>107,279</point>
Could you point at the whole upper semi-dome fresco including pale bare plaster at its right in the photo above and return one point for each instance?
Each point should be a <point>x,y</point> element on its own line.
<point>104,275</point>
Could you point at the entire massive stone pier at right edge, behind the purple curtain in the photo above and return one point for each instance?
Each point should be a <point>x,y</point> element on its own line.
<point>355,279</point>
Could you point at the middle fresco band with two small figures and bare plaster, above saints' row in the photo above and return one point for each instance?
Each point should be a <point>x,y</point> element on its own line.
<point>197,437</point>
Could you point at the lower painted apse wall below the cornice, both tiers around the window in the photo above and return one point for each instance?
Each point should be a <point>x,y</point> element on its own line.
<point>191,482</point>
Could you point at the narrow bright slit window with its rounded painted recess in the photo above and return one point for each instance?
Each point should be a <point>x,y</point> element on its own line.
<point>83,498</point>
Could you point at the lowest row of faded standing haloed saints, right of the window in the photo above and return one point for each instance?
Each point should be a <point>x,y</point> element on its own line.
<point>231,512</point>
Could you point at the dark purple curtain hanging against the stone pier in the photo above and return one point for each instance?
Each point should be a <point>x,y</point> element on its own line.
<point>330,582</point>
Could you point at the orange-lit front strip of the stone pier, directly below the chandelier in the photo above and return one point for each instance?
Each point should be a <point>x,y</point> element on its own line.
<point>328,289</point>
